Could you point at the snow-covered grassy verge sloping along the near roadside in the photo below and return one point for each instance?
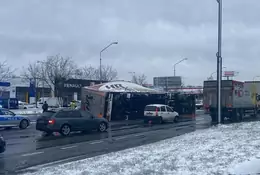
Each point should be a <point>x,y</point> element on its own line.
<point>218,150</point>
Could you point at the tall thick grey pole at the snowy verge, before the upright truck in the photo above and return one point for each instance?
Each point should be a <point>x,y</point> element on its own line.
<point>219,60</point>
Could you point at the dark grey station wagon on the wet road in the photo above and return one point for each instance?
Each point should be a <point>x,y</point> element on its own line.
<point>65,121</point>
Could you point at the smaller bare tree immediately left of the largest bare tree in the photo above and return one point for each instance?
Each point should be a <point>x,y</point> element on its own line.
<point>33,71</point>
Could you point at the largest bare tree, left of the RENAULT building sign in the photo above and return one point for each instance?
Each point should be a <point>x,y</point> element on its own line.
<point>56,69</point>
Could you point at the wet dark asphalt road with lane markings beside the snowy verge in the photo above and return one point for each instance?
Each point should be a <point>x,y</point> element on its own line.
<point>27,148</point>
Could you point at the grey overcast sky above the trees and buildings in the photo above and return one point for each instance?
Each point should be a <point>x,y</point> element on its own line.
<point>152,35</point>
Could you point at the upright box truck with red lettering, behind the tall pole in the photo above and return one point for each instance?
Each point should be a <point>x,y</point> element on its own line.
<point>238,100</point>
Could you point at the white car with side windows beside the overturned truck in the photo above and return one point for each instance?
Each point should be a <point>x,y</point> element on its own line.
<point>160,112</point>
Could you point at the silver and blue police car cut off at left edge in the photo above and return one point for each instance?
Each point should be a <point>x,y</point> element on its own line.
<point>8,119</point>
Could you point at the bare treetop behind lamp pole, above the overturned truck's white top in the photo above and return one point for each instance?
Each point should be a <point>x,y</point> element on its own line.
<point>108,73</point>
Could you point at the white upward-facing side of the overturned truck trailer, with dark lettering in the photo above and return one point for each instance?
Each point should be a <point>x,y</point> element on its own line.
<point>120,86</point>
